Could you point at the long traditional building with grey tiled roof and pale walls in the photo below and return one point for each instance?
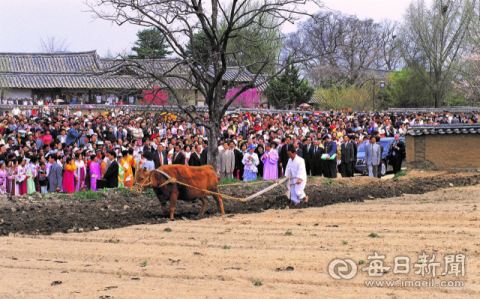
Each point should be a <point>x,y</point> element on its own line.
<point>86,76</point>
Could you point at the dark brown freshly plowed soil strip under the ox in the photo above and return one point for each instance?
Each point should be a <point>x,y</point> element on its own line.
<point>49,215</point>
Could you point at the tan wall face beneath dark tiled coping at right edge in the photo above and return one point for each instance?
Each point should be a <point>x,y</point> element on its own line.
<point>451,152</point>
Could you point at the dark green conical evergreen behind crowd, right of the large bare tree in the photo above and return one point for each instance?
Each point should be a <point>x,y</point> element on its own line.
<point>288,89</point>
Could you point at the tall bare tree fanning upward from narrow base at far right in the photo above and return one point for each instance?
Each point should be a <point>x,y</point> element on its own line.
<point>434,38</point>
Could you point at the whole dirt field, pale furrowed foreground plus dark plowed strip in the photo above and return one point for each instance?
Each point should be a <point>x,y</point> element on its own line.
<point>287,249</point>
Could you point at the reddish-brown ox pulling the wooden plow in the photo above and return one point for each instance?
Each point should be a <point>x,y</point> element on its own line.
<point>203,177</point>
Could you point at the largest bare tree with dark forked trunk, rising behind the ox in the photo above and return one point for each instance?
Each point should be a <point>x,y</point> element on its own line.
<point>179,20</point>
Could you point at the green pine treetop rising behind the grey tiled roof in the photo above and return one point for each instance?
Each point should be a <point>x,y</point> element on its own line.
<point>150,45</point>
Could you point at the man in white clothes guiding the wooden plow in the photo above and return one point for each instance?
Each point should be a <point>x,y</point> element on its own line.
<point>297,171</point>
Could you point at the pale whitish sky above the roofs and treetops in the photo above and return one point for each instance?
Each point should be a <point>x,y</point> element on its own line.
<point>24,22</point>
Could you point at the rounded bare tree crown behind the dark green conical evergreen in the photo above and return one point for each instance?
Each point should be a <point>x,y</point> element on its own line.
<point>357,44</point>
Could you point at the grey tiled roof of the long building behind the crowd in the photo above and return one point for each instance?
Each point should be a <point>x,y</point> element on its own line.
<point>86,70</point>
